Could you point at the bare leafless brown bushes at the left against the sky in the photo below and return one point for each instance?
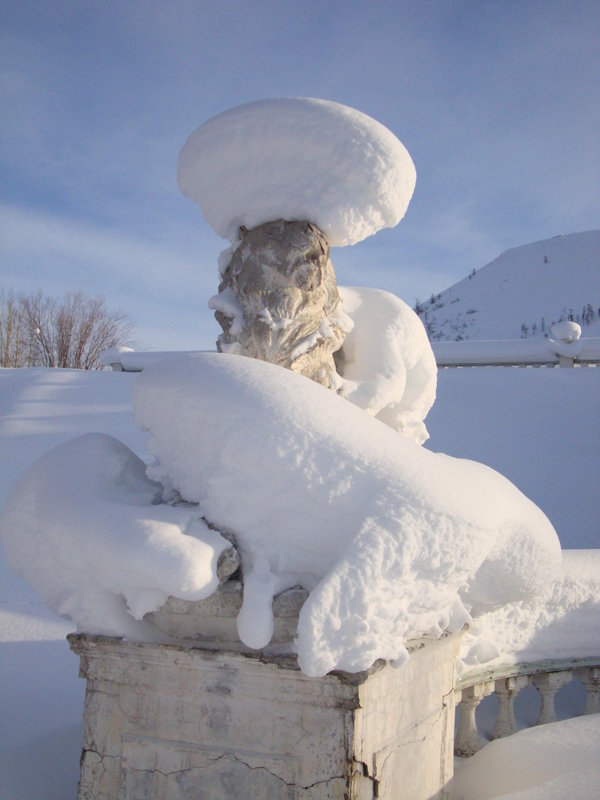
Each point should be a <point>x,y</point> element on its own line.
<point>36,330</point>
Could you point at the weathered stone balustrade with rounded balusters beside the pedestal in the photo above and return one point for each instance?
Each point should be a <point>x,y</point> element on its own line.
<point>506,682</point>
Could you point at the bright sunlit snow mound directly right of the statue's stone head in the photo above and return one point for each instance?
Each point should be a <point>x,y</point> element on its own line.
<point>386,361</point>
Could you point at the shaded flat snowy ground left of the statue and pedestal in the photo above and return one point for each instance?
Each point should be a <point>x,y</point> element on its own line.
<point>41,695</point>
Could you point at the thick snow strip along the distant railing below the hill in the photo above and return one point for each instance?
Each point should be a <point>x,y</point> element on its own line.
<point>517,353</point>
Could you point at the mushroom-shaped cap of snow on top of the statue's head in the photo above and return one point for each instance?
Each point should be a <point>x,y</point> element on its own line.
<point>297,159</point>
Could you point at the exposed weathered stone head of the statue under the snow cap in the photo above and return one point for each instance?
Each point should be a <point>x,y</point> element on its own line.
<point>278,300</point>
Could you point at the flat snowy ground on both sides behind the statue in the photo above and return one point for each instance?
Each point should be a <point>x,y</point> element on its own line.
<point>539,427</point>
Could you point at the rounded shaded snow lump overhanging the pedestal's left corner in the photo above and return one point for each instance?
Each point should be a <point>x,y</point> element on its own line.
<point>85,527</point>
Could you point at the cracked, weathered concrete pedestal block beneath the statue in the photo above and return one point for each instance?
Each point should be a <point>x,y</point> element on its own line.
<point>176,721</point>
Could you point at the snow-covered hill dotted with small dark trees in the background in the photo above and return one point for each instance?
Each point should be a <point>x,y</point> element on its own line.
<point>522,292</point>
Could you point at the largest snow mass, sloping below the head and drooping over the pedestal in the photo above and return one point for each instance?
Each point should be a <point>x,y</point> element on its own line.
<point>392,540</point>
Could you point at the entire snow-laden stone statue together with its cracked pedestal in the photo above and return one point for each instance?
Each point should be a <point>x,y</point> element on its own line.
<point>258,472</point>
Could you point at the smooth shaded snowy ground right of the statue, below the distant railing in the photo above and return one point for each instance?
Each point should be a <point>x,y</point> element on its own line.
<point>538,427</point>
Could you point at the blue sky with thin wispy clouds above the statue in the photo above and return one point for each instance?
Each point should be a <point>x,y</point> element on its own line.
<point>497,102</point>
